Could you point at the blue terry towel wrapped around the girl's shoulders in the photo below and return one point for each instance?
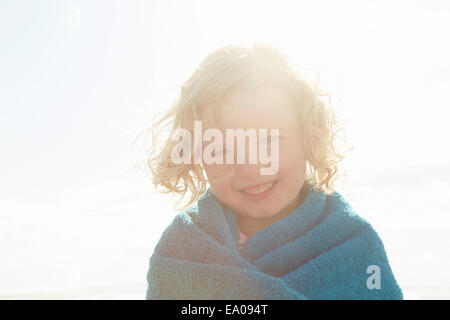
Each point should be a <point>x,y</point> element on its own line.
<point>322,250</point>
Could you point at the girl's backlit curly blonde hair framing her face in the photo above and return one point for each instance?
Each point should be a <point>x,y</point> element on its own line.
<point>237,66</point>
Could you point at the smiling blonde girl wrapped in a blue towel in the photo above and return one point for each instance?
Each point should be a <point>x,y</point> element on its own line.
<point>247,235</point>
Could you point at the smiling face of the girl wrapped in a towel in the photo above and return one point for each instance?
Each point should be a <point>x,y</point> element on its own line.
<point>262,108</point>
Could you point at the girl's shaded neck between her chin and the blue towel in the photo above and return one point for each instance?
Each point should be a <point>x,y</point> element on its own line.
<point>249,226</point>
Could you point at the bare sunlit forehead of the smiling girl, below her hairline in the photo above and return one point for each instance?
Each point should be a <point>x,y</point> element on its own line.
<point>259,108</point>
